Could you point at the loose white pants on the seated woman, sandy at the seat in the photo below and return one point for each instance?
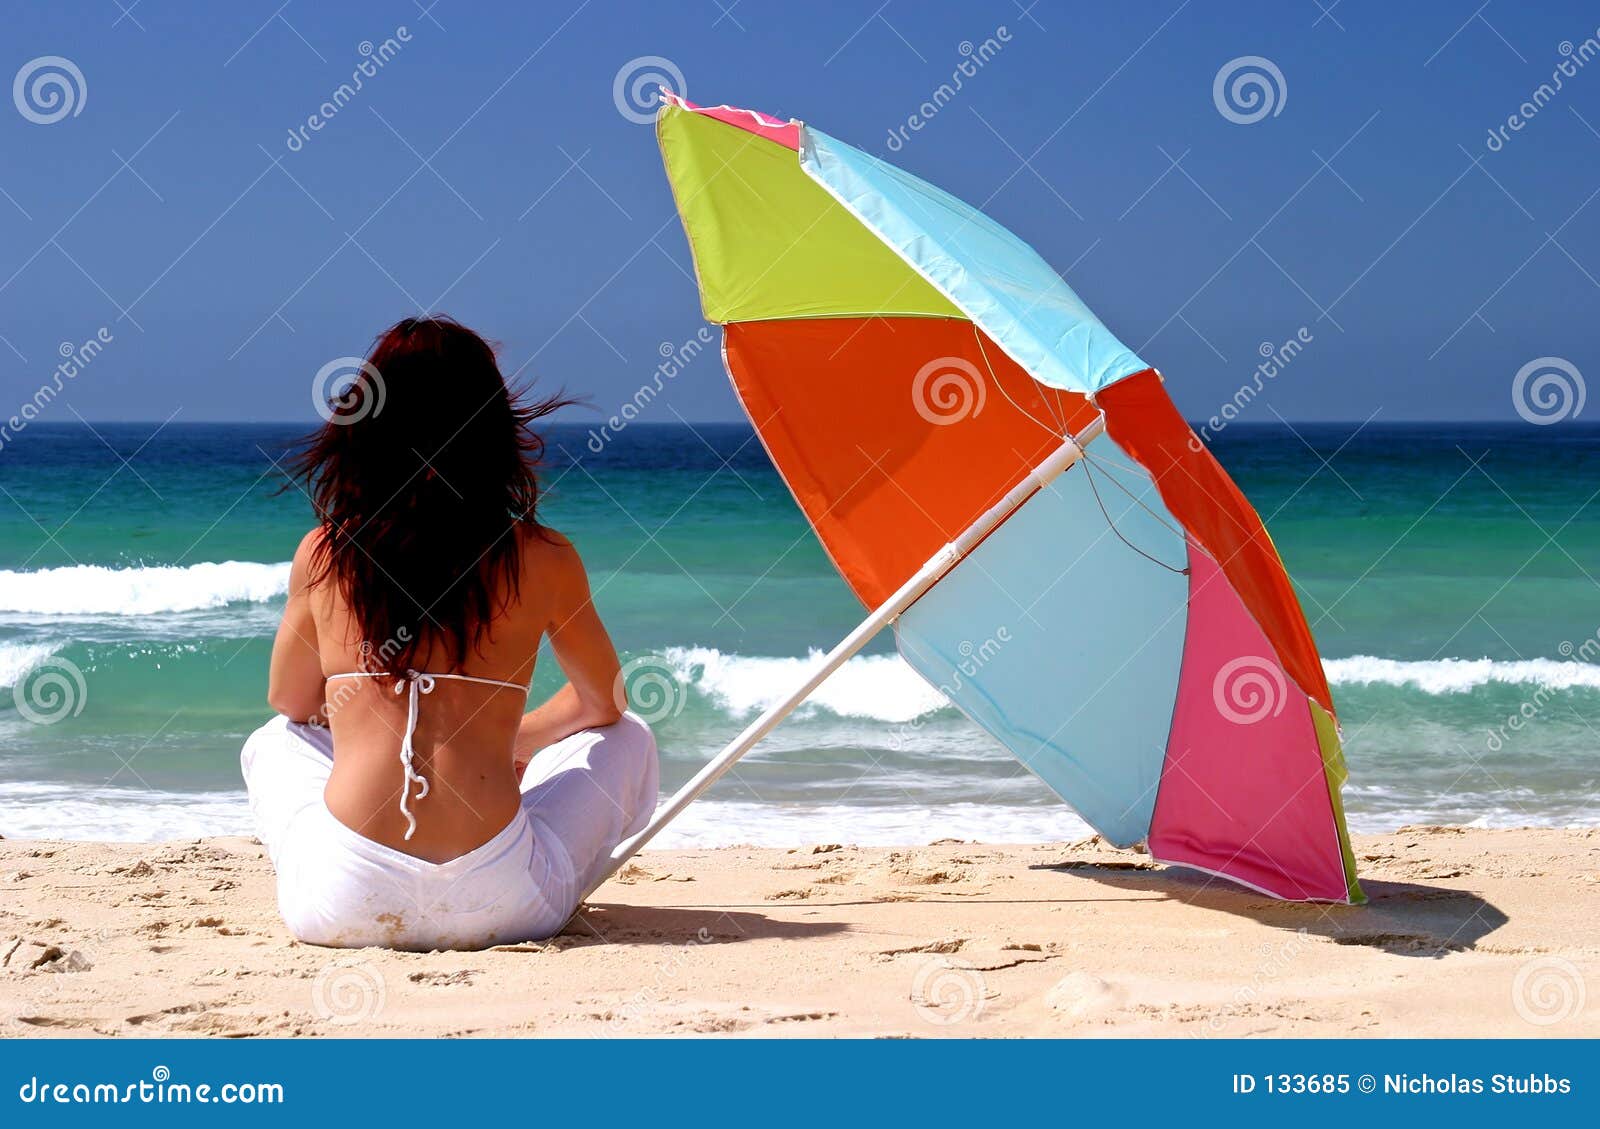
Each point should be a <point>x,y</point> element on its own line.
<point>580,799</point>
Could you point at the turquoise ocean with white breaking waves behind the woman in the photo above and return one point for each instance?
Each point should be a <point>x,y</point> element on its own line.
<point>1449,573</point>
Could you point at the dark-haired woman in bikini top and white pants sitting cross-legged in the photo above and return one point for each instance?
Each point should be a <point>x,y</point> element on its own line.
<point>402,794</point>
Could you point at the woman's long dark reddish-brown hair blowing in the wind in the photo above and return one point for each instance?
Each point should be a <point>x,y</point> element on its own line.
<point>425,481</point>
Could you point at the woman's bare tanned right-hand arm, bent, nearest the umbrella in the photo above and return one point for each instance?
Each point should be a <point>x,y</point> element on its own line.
<point>585,652</point>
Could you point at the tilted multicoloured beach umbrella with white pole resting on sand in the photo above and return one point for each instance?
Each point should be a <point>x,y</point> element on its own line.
<point>1004,482</point>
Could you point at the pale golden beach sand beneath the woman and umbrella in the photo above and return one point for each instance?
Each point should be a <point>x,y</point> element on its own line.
<point>1470,933</point>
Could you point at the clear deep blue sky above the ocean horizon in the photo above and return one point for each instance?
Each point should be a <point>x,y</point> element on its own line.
<point>486,170</point>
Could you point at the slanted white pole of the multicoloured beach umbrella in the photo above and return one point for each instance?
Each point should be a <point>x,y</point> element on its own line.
<point>881,618</point>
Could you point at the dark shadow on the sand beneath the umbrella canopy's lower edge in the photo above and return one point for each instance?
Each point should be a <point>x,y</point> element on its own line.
<point>1399,919</point>
